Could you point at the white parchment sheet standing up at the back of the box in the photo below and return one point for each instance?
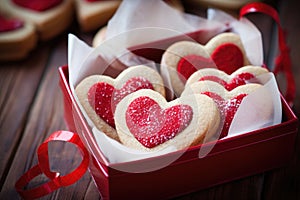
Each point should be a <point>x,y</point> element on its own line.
<point>139,14</point>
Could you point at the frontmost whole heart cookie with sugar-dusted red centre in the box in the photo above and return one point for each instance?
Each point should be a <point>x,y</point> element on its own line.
<point>146,121</point>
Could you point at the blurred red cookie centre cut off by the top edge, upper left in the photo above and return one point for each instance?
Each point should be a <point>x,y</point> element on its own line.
<point>38,5</point>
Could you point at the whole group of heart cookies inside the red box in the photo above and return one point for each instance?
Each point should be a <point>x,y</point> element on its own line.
<point>210,81</point>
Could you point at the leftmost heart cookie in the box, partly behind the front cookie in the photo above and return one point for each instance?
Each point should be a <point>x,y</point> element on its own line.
<point>100,94</point>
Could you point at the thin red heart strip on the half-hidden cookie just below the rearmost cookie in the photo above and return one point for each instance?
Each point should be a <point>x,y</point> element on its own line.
<point>240,79</point>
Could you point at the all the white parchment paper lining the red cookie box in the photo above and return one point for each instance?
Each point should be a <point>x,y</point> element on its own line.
<point>84,61</point>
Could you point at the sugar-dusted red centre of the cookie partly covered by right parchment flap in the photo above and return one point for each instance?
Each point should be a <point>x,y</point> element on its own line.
<point>228,109</point>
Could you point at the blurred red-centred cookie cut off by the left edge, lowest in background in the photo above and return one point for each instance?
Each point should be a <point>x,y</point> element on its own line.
<point>17,38</point>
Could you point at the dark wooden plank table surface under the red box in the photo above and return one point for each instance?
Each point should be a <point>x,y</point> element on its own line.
<point>31,108</point>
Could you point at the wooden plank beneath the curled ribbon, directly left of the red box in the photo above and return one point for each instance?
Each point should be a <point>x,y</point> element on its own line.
<point>45,117</point>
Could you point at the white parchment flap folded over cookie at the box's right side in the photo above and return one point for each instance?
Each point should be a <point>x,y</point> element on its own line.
<point>261,108</point>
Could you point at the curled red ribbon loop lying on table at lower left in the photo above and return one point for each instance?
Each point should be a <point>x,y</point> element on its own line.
<point>55,180</point>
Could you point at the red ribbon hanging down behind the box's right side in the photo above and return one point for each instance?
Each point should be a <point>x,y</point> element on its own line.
<point>283,61</point>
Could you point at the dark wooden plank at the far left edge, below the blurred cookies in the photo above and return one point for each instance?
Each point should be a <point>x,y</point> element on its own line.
<point>18,85</point>
